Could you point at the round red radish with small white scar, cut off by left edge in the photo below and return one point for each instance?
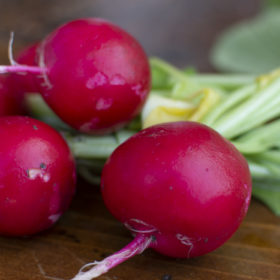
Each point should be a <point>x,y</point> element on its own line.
<point>37,176</point>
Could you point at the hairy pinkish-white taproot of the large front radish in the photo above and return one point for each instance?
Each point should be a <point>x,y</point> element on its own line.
<point>135,247</point>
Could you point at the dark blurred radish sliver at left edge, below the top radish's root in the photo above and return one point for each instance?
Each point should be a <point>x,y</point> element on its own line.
<point>9,103</point>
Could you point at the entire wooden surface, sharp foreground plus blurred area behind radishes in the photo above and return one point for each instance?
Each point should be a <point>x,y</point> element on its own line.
<point>182,32</point>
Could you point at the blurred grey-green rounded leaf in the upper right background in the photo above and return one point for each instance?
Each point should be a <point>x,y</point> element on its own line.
<point>252,46</point>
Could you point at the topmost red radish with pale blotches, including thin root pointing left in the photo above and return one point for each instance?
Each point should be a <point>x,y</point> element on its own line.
<point>93,74</point>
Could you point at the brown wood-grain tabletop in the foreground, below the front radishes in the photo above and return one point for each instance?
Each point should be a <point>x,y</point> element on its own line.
<point>87,232</point>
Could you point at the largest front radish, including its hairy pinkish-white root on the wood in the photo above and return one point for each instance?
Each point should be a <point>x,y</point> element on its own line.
<point>180,188</point>
